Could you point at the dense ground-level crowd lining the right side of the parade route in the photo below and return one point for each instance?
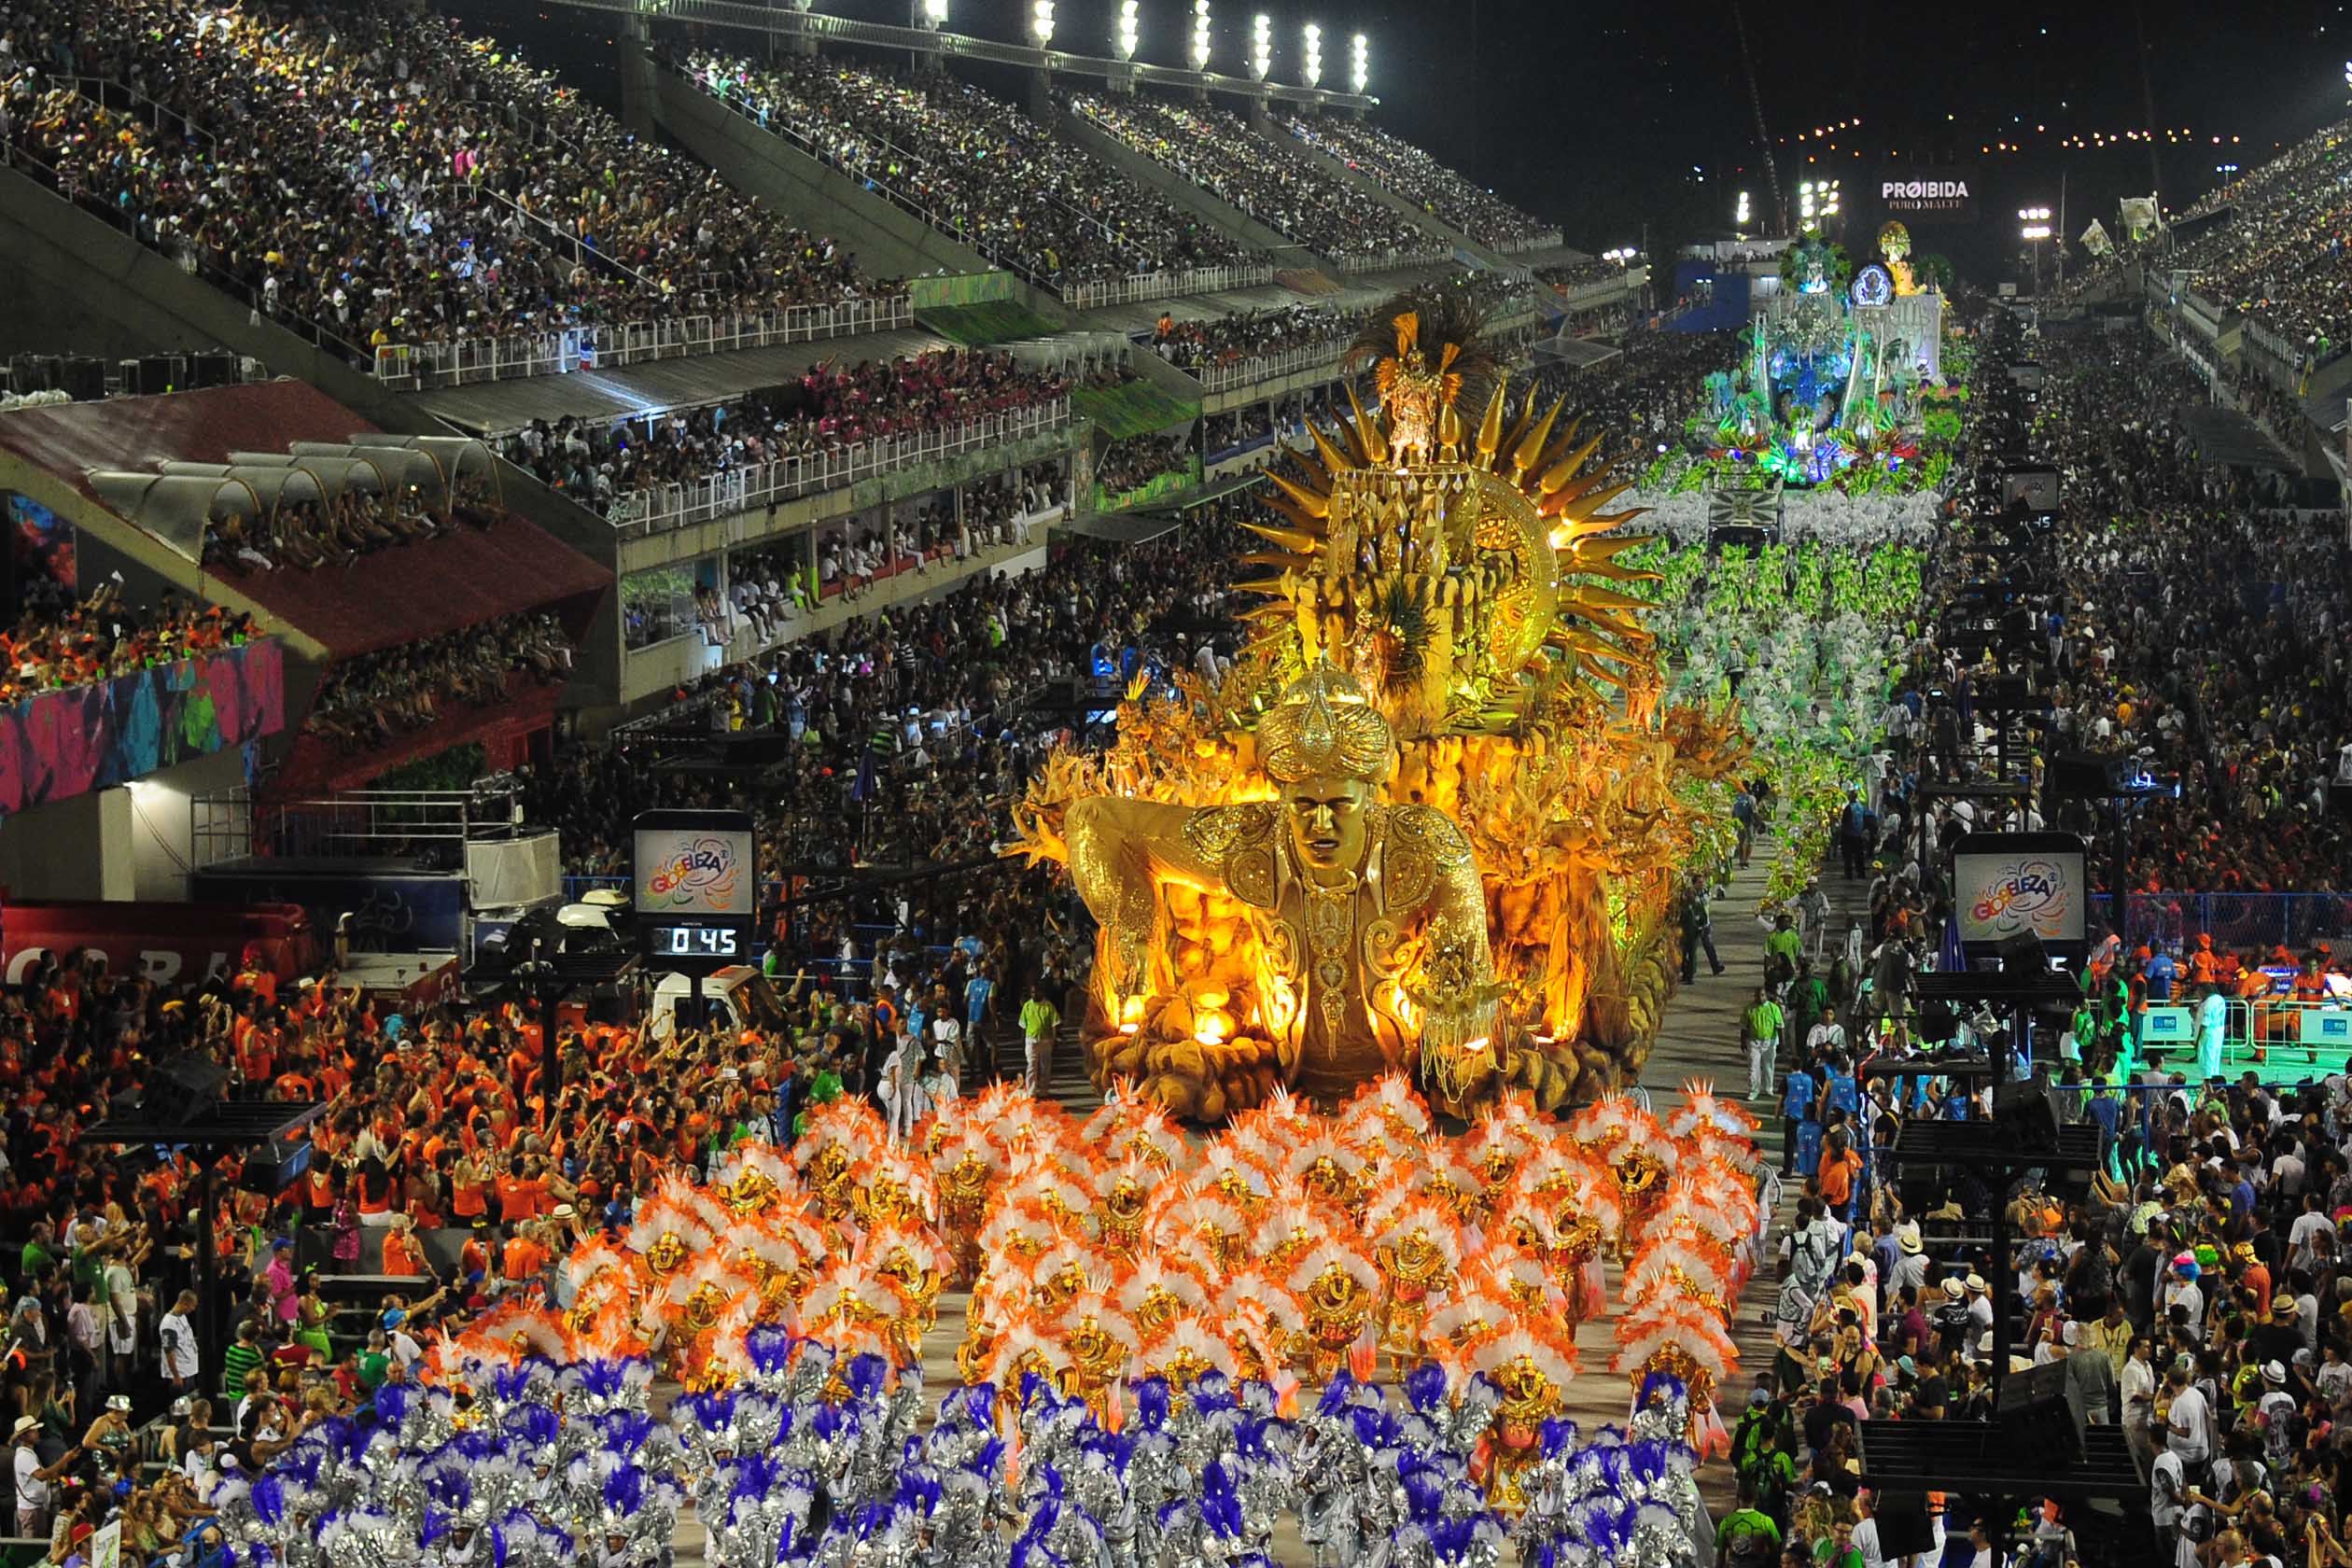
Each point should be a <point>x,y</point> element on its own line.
<point>2193,1292</point>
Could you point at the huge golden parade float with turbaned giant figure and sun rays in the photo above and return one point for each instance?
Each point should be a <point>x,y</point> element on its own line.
<point>1434,815</point>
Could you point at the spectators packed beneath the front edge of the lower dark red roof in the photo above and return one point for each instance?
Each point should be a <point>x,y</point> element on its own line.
<point>373,699</point>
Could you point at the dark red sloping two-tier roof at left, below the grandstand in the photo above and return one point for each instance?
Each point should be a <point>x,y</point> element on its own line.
<point>392,596</point>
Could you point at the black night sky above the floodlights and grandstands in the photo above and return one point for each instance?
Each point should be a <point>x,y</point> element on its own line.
<point>1615,116</point>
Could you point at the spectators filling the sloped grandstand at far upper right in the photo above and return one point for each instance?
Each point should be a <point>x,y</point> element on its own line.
<point>2278,248</point>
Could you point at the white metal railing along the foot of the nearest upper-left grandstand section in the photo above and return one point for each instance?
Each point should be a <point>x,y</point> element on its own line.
<point>413,368</point>
